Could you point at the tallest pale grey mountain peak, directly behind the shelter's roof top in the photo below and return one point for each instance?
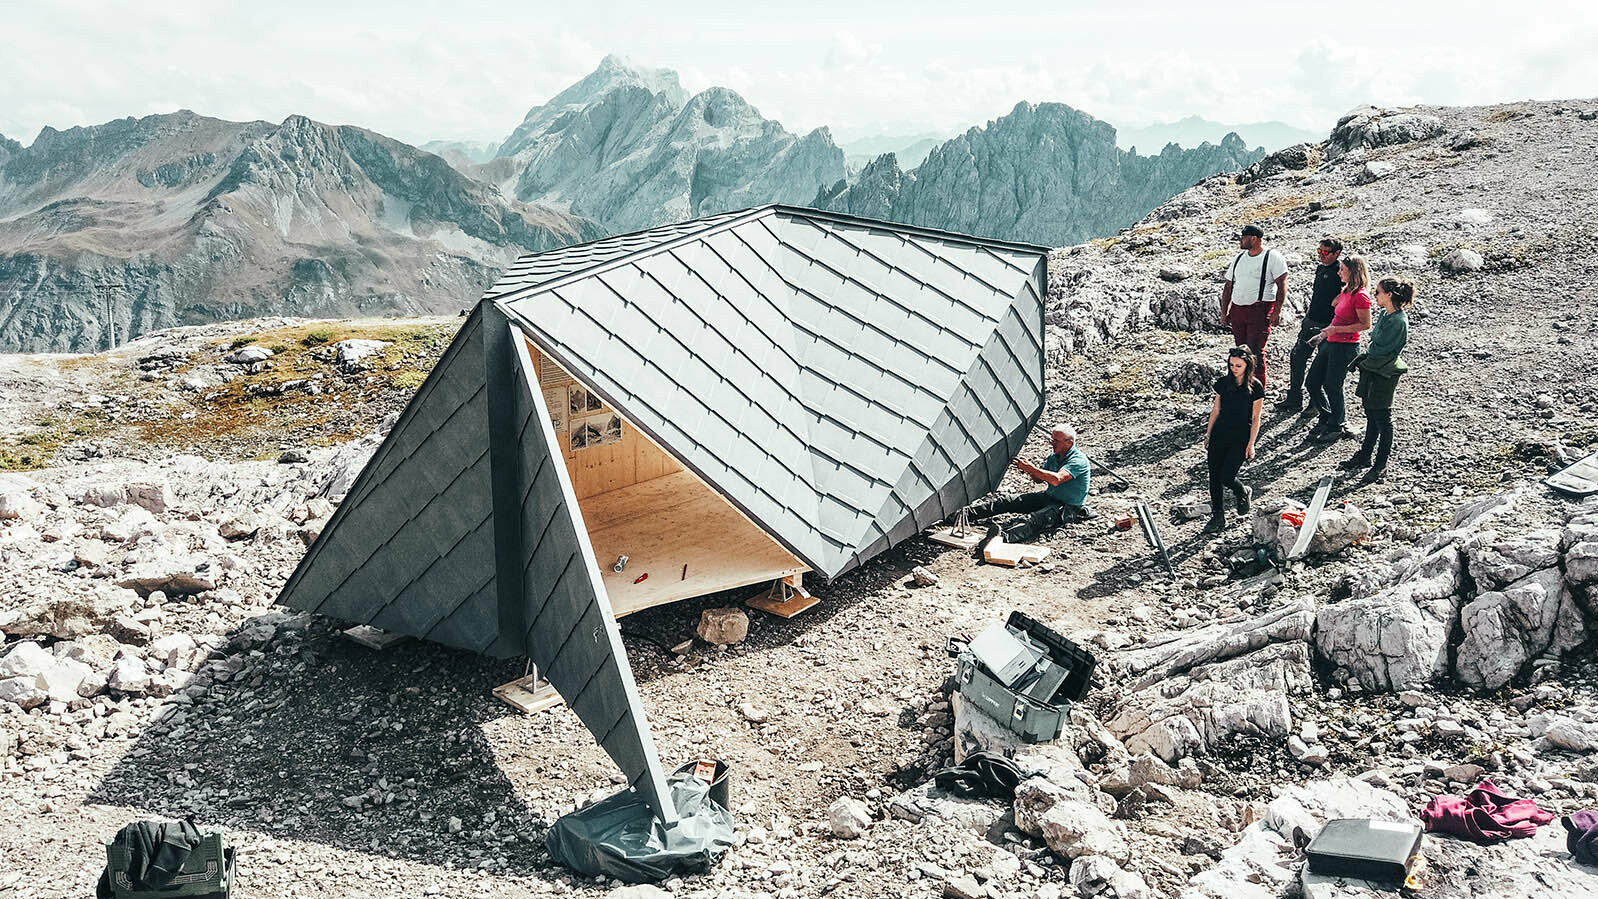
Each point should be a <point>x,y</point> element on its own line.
<point>630,149</point>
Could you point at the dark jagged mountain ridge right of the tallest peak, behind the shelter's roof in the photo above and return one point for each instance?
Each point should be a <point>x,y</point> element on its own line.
<point>1044,173</point>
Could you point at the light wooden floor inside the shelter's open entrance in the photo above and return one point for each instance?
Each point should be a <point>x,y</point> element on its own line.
<point>675,521</point>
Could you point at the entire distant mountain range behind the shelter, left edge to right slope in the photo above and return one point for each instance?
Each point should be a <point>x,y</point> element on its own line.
<point>185,220</point>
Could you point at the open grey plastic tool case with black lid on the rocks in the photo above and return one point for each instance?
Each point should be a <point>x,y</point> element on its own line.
<point>1027,676</point>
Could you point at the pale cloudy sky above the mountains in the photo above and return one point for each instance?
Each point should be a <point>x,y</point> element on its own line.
<point>471,69</point>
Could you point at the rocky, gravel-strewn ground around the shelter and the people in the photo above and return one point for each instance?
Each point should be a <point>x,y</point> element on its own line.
<point>1441,632</point>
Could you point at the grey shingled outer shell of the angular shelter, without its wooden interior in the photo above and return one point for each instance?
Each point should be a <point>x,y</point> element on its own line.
<point>843,382</point>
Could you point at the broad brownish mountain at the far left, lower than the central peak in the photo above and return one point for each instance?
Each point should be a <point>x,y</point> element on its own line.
<point>201,220</point>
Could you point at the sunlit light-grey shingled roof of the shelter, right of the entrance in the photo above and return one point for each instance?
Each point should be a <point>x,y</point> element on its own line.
<point>845,382</point>
